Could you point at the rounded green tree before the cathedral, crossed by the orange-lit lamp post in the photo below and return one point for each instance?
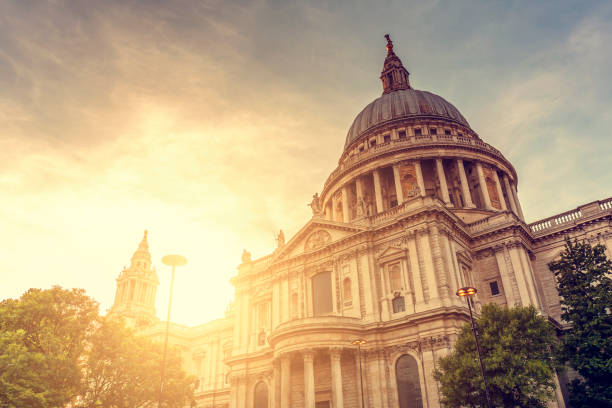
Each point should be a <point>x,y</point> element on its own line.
<point>517,346</point>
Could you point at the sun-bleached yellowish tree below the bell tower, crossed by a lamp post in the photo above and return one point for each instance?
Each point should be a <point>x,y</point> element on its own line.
<point>124,370</point>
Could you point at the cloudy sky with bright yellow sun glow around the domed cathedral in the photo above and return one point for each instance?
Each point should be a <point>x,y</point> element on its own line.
<point>212,123</point>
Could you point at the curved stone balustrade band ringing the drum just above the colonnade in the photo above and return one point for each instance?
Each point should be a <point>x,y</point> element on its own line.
<point>408,142</point>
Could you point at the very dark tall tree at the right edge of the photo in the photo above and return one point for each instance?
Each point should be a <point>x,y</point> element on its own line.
<point>584,284</point>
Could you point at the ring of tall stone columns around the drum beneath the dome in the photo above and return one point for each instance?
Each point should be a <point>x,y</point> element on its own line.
<point>337,206</point>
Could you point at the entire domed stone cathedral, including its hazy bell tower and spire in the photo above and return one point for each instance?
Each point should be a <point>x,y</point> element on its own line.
<point>356,309</point>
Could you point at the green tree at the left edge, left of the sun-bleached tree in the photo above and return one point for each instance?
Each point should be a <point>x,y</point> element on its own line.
<point>44,333</point>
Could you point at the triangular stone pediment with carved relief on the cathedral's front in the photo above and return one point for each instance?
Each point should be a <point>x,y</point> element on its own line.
<point>316,234</point>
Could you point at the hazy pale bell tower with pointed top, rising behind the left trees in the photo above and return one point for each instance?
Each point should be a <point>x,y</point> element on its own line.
<point>136,289</point>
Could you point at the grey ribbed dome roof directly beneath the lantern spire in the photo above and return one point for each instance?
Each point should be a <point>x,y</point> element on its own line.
<point>405,103</point>
